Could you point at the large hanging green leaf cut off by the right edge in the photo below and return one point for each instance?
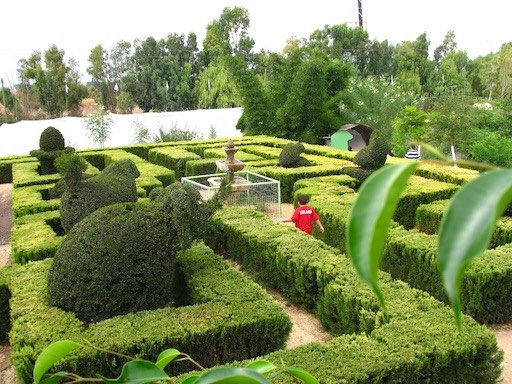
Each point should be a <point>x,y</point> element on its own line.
<point>467,227</point>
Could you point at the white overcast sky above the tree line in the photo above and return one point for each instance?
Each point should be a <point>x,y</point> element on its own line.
<point>77,27</point>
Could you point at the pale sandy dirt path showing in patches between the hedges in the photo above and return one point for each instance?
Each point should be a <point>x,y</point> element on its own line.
<point>306,328</point>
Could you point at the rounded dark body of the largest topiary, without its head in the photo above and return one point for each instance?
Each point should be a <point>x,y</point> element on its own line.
<point>115,261</point>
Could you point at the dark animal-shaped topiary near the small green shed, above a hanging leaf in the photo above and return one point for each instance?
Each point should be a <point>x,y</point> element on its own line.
<point>369,158</point>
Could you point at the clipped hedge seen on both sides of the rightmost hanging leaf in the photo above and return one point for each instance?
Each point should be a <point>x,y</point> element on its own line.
<point>411,256</point>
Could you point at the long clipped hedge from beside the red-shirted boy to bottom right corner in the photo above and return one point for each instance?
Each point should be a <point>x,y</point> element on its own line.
<point>417,342</point>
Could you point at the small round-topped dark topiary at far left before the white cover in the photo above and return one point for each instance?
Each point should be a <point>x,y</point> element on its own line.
<point>51,146</point>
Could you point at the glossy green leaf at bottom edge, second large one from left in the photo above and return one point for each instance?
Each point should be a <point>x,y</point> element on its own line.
<point>138,372</point>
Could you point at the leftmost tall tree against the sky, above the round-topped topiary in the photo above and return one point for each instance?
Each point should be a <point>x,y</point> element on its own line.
<point>47,75</point>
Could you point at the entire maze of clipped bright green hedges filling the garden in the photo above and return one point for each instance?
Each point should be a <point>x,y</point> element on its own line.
<point>224,316</point>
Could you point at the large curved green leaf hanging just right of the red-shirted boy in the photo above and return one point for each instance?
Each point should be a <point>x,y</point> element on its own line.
<point>370,217</point>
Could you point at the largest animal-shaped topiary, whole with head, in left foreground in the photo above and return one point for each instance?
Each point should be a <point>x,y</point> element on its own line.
<point>121,258</point>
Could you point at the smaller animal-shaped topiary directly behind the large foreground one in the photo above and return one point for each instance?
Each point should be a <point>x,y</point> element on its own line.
<point>82,196</point>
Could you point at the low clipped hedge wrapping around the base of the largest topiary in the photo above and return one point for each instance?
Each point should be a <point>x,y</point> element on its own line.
<point>228,317</point>
